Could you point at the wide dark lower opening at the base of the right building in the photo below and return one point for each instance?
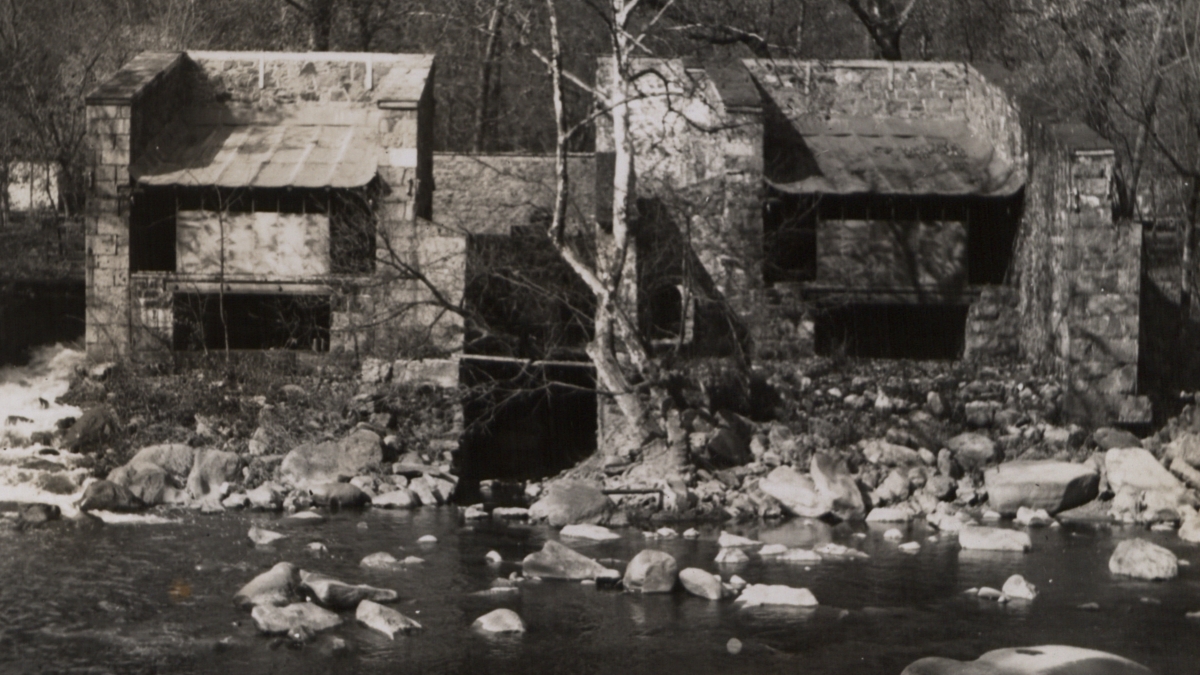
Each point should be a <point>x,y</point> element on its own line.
<point>892,332</point>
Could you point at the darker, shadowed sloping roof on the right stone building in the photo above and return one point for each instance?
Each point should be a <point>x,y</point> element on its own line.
<point>890,157</point>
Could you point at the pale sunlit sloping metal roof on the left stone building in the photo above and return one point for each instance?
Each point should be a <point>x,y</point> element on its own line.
<point>285,154</point>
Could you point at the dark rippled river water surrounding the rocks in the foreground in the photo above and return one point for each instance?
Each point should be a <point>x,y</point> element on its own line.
<point>157,599</point>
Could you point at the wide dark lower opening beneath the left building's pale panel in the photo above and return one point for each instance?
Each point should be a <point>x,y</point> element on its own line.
<point>203,321</point>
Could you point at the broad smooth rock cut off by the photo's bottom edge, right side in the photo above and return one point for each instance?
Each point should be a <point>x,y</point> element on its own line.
<point>1048,660</point>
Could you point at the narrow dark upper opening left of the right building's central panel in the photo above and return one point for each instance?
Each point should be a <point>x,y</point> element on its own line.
<point>790,238</point>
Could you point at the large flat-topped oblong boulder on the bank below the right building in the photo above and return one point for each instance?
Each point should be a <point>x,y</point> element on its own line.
<point>1051,486</point>
